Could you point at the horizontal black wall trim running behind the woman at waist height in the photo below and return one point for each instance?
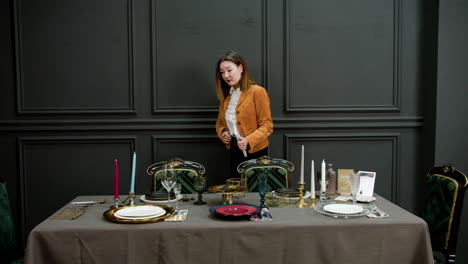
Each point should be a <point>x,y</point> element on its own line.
<point>204,124</point>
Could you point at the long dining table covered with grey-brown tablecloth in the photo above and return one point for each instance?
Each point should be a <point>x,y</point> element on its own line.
<point>296,235</point>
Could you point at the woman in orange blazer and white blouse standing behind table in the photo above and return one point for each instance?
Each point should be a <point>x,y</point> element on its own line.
<point>244,119</point>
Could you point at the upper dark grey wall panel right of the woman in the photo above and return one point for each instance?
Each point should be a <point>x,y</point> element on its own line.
<point>341,55</point>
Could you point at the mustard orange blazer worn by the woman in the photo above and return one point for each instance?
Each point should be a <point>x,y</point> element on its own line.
<point>253,116</point>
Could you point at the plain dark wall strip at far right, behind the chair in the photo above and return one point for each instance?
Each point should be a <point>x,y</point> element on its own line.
<point>451,141</point>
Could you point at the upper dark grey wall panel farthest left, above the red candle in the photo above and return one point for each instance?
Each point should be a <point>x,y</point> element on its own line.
<point>74,57</point>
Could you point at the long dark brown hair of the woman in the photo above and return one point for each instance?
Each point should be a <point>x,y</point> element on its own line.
<point>222,88</point>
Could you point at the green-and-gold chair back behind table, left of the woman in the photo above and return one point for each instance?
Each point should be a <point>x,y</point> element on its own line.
<point>186,170</point>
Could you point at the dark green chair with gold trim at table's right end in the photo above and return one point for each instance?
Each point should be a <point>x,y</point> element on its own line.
<point>445,189</point>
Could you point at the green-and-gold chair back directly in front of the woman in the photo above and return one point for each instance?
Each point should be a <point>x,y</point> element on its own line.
<point>279,171</point>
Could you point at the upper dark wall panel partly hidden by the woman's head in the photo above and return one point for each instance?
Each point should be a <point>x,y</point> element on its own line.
<point>187,42</point>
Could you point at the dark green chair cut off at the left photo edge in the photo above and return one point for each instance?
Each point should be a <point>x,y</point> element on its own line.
<point>8,245</point>
